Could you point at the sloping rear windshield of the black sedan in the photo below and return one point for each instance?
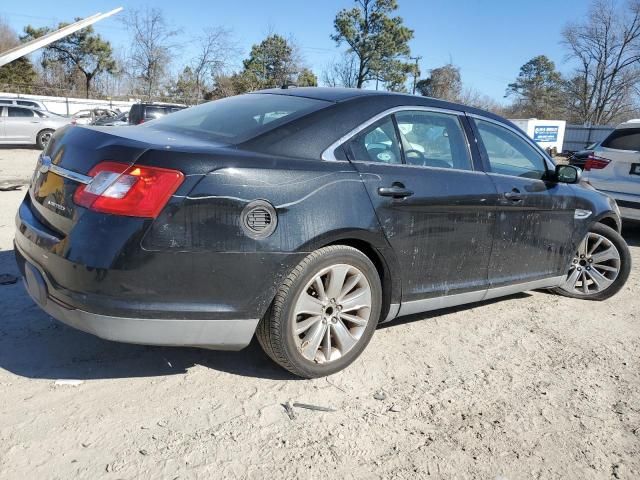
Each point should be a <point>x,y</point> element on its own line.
<point>237,119</point>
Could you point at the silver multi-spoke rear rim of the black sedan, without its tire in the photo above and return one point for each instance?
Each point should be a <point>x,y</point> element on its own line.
<point>331,313</point>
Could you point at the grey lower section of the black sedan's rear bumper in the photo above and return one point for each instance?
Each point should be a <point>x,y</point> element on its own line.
<point>222,334</point>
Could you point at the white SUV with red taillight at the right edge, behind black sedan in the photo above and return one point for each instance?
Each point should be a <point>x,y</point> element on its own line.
<point>614,168</point>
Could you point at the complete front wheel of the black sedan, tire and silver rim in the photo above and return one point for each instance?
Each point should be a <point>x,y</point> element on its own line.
<point>599,268</point>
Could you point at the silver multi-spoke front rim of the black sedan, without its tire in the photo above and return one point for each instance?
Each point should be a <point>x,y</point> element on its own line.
<point>595,266</point>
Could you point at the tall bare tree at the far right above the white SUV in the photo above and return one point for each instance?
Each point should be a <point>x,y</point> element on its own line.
<point>606,47</point>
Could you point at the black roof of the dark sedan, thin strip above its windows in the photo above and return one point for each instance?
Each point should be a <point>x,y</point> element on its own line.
<point>338,95</point>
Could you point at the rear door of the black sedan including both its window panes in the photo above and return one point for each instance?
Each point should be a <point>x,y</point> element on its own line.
<point>435,209</point>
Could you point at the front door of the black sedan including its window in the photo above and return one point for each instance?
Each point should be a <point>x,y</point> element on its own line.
<point>535,216</point>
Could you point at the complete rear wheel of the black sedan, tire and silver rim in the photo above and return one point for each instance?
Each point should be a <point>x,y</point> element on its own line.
<point>324,313</point>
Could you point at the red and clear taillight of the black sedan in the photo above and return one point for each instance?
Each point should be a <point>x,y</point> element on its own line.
<point>133,191</point>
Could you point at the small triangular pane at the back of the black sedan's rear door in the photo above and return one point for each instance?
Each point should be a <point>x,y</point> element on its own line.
<point>379,143</point>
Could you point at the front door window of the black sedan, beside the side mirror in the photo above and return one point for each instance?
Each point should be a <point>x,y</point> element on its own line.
<point>510,154</point>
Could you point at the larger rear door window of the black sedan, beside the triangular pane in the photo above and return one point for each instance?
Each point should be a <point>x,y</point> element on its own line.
<point>432,139</point>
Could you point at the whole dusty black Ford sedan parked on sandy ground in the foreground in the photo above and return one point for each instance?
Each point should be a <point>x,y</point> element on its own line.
<point>305,216</point>
